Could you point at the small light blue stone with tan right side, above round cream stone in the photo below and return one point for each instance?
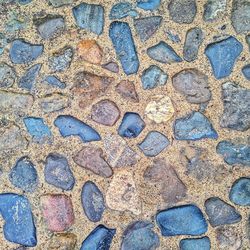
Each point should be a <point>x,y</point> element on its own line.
<point>153,77</point>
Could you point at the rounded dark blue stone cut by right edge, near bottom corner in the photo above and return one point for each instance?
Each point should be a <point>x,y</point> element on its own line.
<point>240,192</point>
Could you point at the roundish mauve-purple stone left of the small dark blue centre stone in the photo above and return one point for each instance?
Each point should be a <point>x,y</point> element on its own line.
<point>105,112</point>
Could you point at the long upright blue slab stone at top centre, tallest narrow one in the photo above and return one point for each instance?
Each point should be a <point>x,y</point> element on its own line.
<point>121,37</point>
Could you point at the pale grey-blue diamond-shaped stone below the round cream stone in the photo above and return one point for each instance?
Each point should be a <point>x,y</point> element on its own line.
<point>154,143</point>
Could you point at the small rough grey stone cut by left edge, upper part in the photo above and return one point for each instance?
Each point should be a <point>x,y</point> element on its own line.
<point>7,75</point>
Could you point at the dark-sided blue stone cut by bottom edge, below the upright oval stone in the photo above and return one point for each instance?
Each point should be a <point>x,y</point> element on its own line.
<point>99,239</point>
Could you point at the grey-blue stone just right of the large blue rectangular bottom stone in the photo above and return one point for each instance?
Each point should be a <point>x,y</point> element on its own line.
<point>221,213</point>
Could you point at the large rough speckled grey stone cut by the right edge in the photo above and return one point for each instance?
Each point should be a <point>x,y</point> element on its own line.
<point>236,101</point>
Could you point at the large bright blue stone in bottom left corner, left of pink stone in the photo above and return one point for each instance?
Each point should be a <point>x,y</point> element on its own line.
<point>19,225</point>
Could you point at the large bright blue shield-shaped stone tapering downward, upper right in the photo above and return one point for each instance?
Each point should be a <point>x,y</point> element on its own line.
<point>222,56</point>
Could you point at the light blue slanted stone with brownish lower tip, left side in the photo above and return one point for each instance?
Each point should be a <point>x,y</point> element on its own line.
<point>39,131</point>
